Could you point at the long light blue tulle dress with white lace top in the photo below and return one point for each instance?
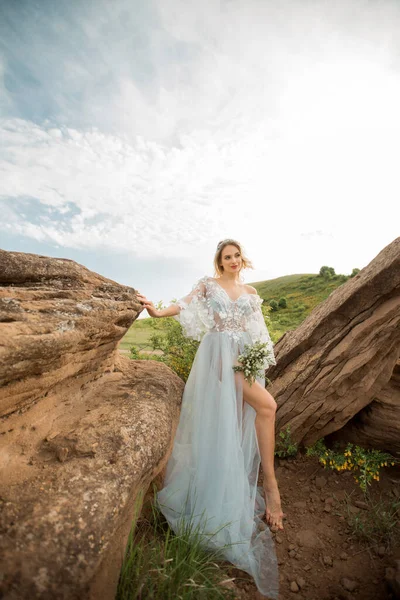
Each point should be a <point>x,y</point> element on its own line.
<point>211,476</point>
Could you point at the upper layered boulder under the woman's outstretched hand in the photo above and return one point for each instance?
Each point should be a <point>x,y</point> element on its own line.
<point>59,321</point>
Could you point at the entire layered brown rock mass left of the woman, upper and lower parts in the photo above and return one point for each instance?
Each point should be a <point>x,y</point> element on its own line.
<point>83,429</point>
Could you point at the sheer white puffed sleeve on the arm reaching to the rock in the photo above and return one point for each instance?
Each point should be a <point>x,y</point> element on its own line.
<point>195,316</point>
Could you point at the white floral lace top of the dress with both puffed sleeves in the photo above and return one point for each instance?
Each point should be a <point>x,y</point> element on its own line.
<point>208,308</point>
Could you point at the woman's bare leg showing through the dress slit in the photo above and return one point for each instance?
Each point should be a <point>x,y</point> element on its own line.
<point>265,406</point>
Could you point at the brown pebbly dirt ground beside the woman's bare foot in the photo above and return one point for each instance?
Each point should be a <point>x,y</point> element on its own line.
<point>317,556</point>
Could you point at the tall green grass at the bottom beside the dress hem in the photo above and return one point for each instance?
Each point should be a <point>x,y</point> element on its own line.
<point>160,565</point>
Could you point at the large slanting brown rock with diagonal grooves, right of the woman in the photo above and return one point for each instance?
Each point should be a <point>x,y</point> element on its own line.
<point>343,355</point>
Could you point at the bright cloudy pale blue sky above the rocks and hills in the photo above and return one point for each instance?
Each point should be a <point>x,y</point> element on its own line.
<point>134,136</point>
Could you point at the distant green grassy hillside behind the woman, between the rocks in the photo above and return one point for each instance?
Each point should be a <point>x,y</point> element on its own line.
<point>303,293</point>
